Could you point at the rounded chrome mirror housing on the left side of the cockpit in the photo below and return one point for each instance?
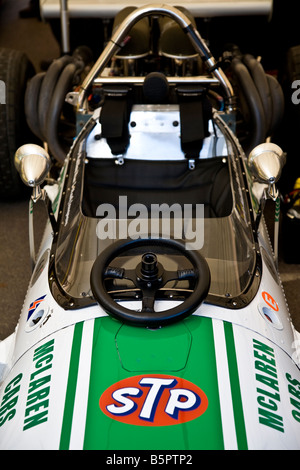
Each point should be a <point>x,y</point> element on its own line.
<point>33,164</point>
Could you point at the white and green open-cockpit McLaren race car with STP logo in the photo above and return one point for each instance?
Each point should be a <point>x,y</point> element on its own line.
<point>155,317</point>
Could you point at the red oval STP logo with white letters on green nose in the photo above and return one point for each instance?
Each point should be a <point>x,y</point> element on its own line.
<point>153,400</point>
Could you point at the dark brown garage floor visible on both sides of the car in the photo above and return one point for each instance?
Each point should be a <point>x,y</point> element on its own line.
<point>35,38</point>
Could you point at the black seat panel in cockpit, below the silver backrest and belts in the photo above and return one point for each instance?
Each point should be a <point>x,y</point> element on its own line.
<point>148,182</point>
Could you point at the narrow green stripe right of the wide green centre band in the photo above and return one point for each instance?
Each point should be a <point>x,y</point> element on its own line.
<point>235,388</point>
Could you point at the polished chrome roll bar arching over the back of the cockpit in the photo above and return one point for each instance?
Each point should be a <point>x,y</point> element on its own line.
<point>120,35</point>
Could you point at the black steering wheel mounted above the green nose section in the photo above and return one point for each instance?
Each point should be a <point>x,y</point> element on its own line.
<point>149,276</point>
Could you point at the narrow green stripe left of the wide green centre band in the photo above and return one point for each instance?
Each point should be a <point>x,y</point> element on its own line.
<point>71,388</point>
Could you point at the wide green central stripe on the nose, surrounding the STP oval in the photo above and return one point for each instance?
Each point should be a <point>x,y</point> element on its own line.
<point>184,349</point>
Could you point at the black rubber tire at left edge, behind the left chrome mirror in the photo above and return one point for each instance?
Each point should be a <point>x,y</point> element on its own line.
<point>15,71</point>
